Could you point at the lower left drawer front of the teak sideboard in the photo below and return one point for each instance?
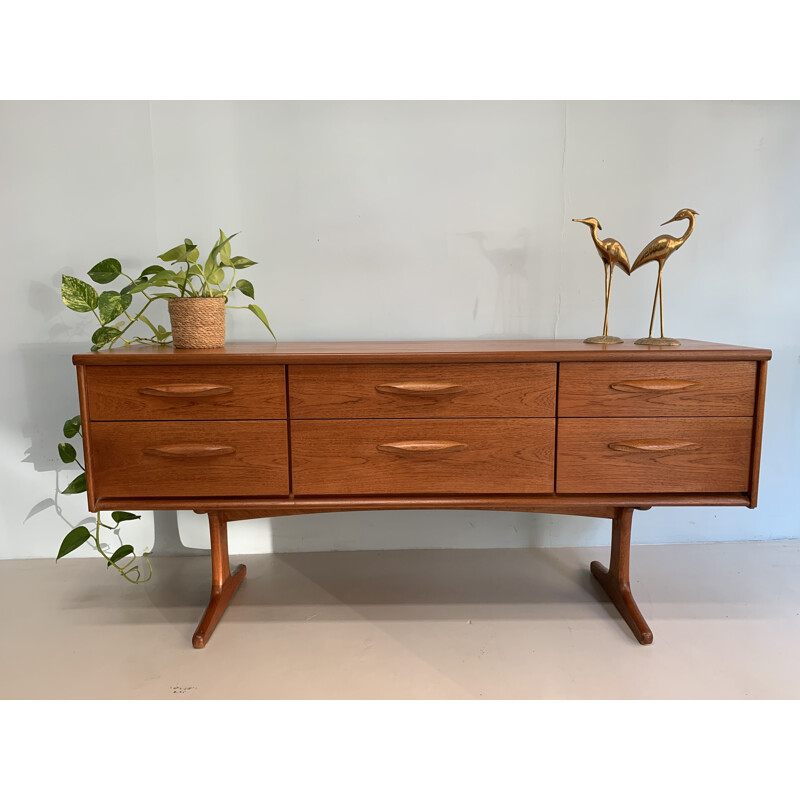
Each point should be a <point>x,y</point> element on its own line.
<point>179,459</point>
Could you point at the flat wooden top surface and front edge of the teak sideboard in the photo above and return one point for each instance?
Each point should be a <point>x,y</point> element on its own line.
<point>420,352</point>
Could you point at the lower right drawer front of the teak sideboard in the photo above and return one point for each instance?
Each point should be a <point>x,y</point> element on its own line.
<point>699,454</point>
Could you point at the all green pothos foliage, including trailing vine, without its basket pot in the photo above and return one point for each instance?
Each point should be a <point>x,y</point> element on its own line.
<point>217,277</point>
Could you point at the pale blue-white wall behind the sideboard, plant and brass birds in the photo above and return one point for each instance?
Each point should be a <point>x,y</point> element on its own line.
<point>381,220</point>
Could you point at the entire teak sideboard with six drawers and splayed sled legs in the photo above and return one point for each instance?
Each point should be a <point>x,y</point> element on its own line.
<point>553,426</point>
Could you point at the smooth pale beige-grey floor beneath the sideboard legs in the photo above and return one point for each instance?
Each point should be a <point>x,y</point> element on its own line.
<point>410,624</point>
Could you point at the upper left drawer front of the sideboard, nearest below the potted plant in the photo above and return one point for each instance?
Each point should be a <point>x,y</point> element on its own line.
<point>175,393</point>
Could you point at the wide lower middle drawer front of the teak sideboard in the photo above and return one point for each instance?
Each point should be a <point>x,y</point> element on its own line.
<point>483,456</point>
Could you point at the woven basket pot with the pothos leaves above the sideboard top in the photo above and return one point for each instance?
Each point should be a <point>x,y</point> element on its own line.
<point>197,297</point>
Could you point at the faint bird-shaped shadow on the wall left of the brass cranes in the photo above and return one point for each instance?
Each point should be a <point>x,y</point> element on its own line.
<point>508,255</point>
